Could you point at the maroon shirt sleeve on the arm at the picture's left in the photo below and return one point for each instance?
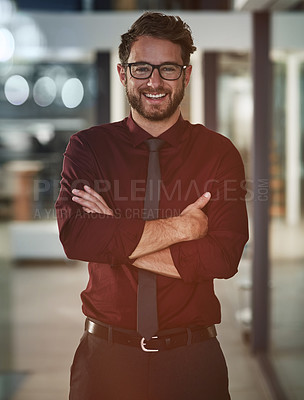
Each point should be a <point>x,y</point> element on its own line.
<point>91,237</point>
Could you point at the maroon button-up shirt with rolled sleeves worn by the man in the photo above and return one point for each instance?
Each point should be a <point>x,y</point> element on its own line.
<point>113,160</point>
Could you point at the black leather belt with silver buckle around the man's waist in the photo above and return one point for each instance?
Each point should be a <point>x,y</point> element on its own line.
<point>165,340</point>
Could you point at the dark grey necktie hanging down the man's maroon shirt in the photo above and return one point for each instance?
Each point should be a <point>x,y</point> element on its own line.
<point>147,321</point>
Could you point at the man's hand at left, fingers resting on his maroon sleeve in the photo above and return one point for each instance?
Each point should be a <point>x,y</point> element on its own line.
<point>91,201</point>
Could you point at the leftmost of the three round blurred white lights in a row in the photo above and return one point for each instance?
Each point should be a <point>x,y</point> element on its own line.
<point>16,90</point>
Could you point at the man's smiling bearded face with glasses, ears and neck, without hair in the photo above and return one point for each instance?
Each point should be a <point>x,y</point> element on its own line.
<point>158,99</point>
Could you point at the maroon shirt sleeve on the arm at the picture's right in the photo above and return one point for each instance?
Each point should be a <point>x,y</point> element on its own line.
<point>217,255</point>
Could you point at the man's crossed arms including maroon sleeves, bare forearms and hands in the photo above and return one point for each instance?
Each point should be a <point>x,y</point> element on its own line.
<point>189,246</point>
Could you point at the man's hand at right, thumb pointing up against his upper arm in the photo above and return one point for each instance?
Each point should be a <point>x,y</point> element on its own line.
<point>196,221</point>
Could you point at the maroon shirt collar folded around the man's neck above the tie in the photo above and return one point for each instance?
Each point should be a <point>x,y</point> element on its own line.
<point>172,135</point>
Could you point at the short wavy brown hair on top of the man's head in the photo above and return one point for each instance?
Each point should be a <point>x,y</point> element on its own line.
<point>160,26</point>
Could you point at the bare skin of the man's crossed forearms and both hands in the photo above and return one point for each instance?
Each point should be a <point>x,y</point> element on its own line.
<point>152,252</point>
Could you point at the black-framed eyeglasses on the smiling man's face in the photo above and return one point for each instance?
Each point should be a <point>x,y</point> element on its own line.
<point>167,71</point>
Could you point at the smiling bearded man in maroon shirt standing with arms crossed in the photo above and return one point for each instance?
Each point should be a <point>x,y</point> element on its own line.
<point>198,234</point>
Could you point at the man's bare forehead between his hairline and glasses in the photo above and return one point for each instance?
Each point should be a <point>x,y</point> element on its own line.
<point>155,51</point>
